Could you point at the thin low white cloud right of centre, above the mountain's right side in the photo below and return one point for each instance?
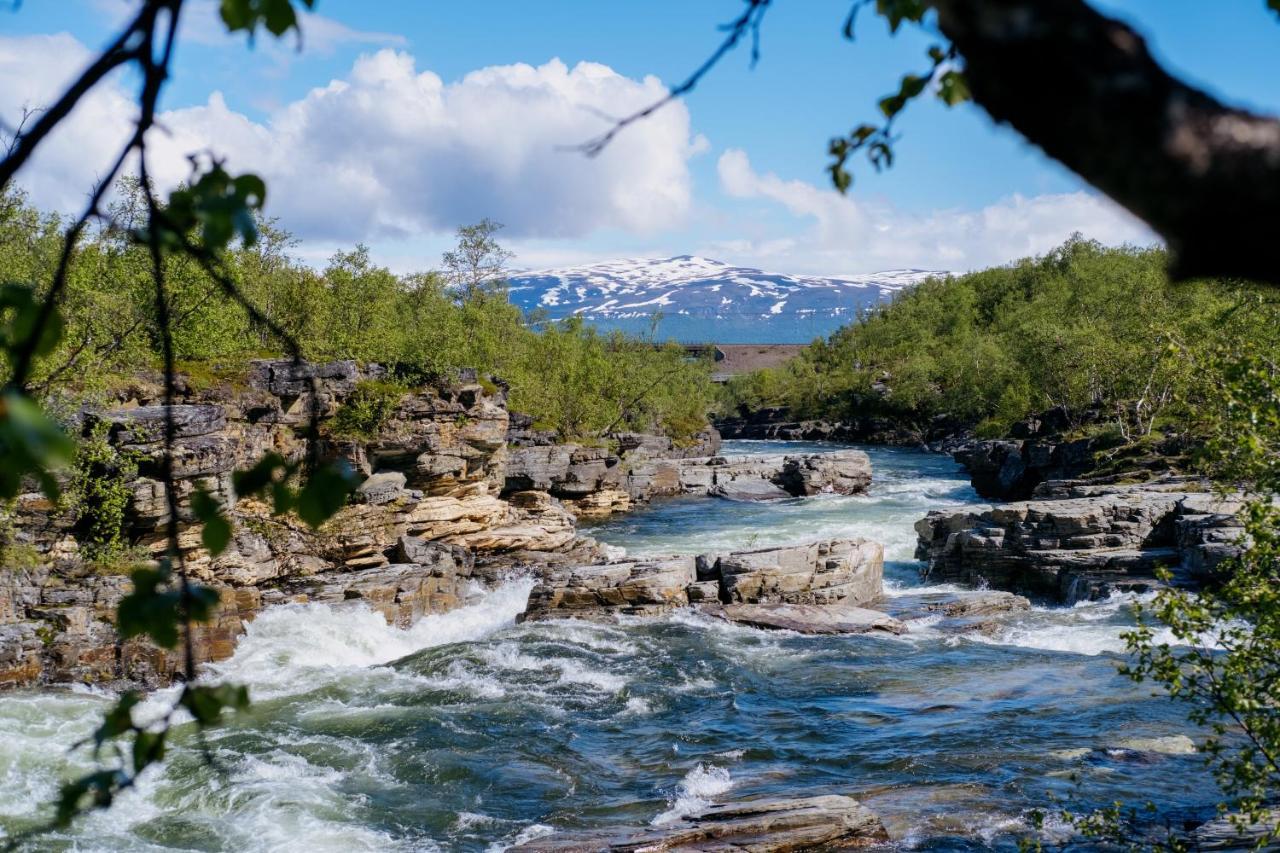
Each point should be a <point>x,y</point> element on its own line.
<point>854,235</point>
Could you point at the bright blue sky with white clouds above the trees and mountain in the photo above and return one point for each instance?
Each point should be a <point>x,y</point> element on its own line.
<point>396,121</point>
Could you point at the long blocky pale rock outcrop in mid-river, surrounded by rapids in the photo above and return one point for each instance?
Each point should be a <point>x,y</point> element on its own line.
<point>842,572</point>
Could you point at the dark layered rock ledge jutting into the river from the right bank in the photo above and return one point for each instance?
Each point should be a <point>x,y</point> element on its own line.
<point>1080,542</point>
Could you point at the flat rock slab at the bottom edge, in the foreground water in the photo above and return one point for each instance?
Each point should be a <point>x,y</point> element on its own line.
<point>830,823</point>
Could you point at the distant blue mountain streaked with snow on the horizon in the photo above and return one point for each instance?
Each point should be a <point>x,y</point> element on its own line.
<point>706,300</point>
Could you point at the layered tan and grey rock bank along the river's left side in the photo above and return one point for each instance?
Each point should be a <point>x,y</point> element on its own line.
<point>455,492</point>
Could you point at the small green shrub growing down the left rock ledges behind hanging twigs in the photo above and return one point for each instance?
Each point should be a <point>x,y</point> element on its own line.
<point>99,496</point>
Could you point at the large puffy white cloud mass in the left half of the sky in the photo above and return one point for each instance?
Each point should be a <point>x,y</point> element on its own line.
<point>394,152</point>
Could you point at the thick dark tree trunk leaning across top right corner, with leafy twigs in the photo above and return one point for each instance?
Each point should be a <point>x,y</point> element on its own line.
<point>1086,90</point>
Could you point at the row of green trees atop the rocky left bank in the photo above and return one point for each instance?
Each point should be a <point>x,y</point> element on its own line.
<point>424,326</point>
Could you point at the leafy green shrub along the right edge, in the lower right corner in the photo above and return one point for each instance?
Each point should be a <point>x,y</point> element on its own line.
<point>1223,663</point>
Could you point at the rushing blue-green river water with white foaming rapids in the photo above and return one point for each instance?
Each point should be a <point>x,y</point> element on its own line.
<point>470,733</point>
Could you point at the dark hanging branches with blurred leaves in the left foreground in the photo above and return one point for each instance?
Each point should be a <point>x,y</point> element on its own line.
<point>194,226</point>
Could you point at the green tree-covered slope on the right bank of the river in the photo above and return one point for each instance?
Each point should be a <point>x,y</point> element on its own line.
<point>1100,332</point>
